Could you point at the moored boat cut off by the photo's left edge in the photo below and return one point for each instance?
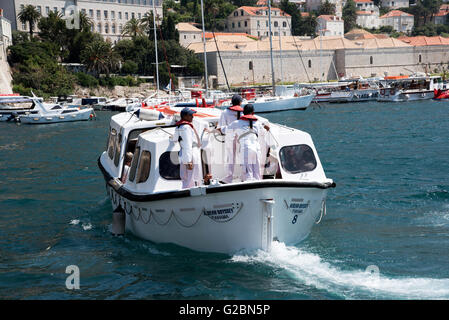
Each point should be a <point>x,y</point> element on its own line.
<point>13,106</point>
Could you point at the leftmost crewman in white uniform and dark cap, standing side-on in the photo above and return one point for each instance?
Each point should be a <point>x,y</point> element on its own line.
<point>189,156</point>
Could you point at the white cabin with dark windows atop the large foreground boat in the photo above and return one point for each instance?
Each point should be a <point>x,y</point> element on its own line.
<point>289,154</point>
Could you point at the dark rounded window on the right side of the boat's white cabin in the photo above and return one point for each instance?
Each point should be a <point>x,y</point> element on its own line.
<point>296,159</point>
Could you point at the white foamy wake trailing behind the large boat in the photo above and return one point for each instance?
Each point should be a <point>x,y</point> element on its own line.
<point>309,269</point>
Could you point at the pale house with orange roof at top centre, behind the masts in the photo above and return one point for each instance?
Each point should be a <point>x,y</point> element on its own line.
<point>254,21</point>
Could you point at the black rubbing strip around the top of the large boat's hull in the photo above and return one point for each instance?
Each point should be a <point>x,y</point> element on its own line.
<point>224,188</point>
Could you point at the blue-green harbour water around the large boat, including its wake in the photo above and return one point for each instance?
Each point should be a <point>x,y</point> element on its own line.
<point>390,211</point>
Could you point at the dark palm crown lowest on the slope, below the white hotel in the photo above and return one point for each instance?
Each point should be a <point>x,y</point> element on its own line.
<point>100,57</point>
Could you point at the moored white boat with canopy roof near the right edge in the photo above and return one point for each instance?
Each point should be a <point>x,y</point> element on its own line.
<point>404,88</point>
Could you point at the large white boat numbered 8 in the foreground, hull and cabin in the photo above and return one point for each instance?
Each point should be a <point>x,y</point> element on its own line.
<point>225,218</point>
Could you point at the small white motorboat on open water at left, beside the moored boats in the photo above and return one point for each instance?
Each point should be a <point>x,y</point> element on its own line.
<point>53,113</point>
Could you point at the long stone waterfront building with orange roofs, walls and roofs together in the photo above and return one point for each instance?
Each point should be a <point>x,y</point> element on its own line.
<point>247,61</point>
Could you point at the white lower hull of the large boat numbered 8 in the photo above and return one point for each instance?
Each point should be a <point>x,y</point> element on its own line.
<point>225,220</point>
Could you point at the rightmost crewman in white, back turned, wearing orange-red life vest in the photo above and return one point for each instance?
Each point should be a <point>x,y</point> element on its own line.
<point>246,131</point>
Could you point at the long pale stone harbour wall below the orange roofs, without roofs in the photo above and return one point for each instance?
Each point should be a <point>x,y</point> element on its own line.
<point>315,65</point>
